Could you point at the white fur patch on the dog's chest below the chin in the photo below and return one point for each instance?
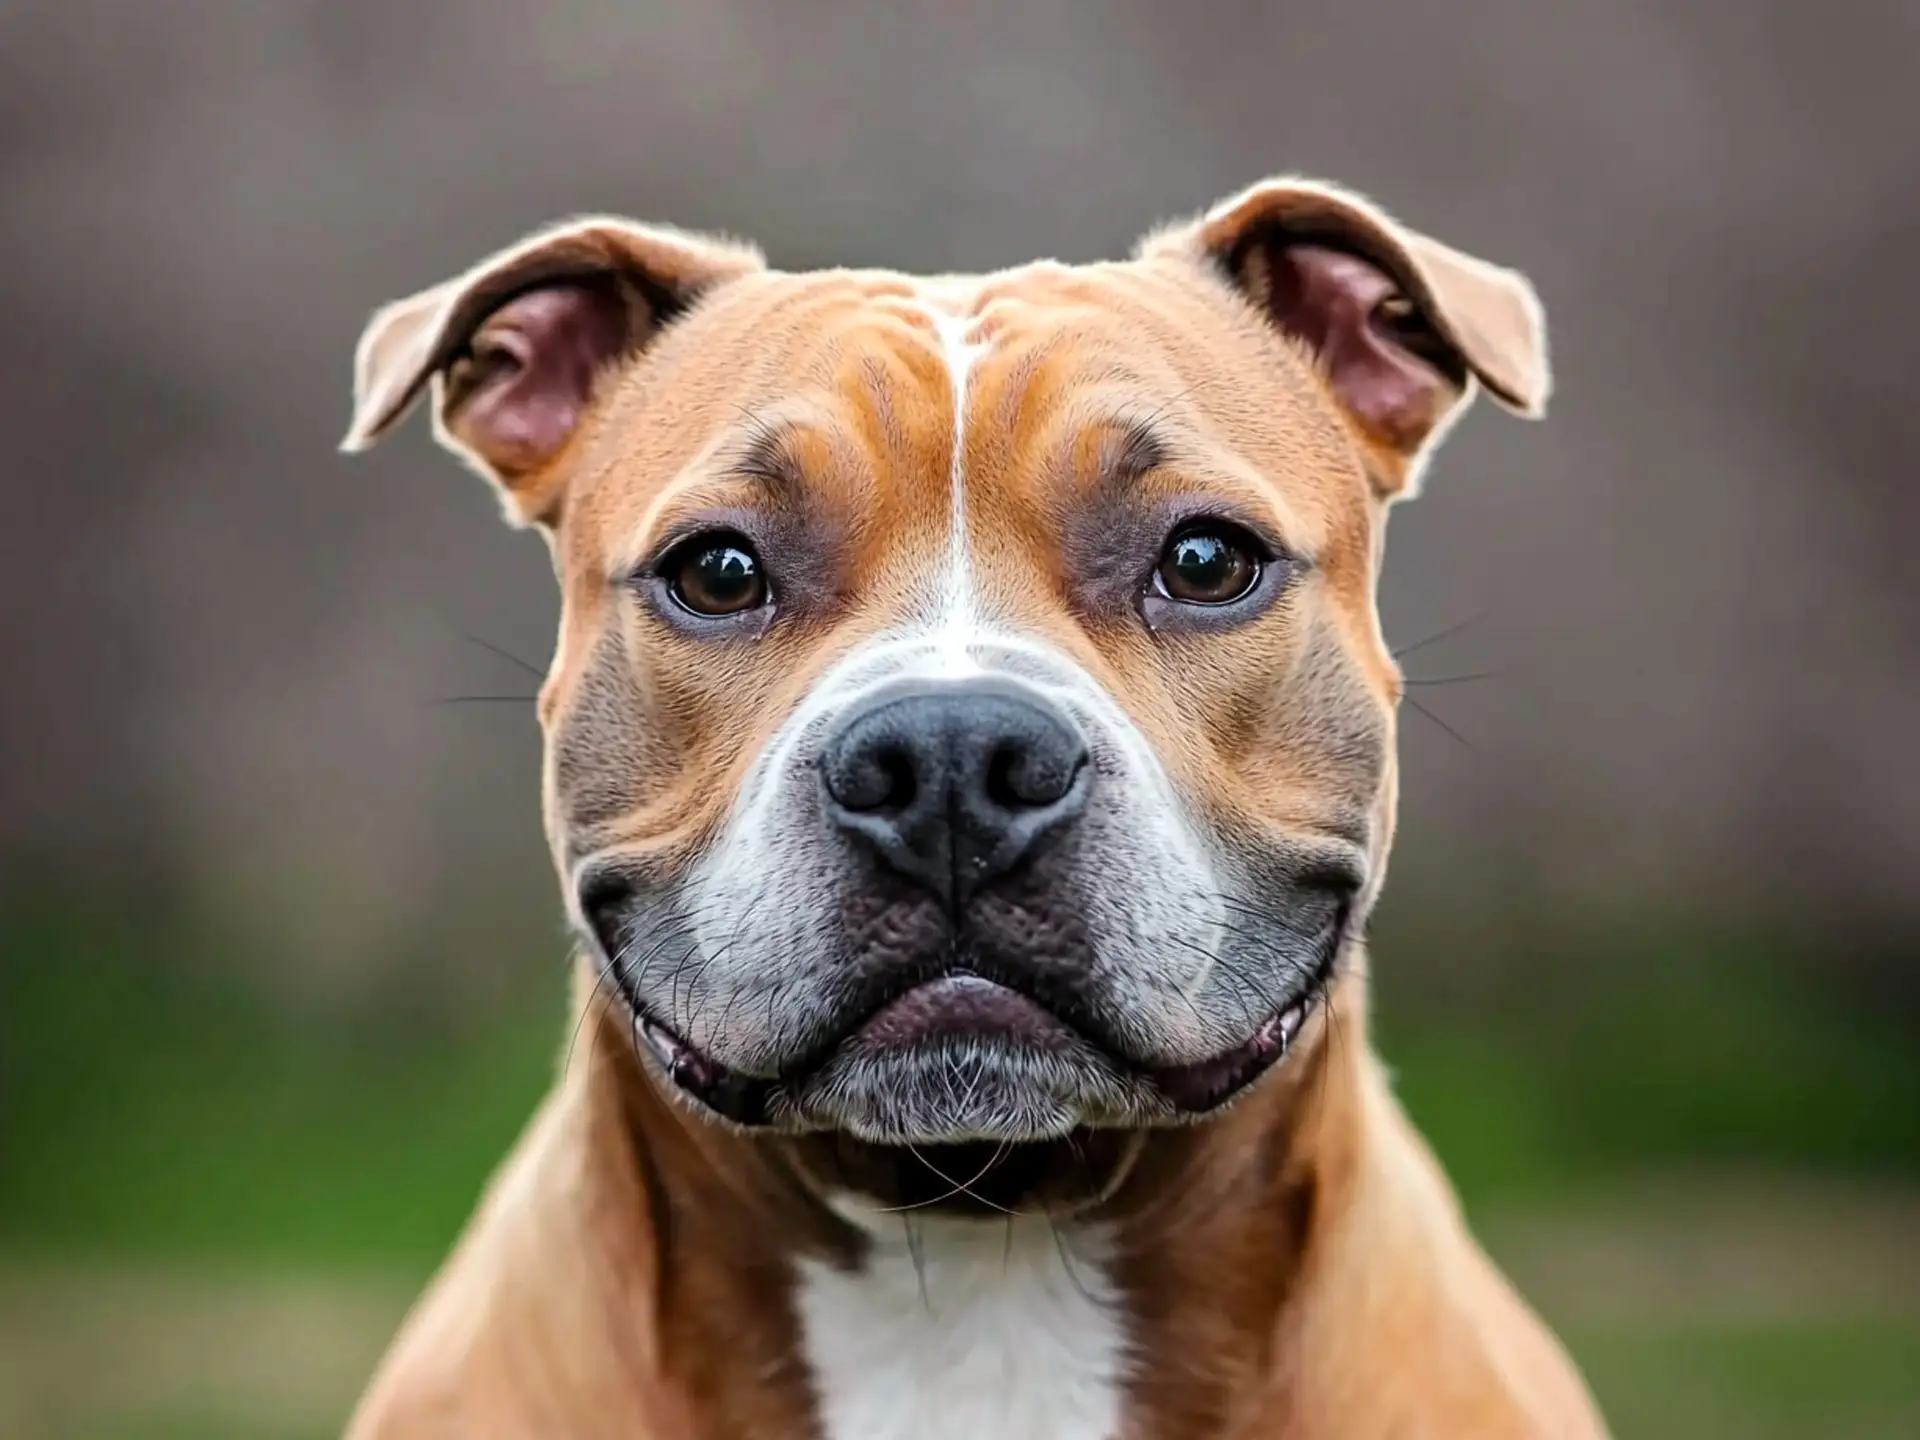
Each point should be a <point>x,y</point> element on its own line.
<point>965,1332</point>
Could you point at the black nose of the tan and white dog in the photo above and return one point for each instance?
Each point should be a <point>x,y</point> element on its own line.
<point>955,782</point>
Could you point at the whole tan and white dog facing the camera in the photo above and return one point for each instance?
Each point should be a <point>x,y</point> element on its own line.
<point>969,765</point>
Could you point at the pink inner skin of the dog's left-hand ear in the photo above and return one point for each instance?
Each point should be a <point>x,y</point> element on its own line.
<point>537,362</point>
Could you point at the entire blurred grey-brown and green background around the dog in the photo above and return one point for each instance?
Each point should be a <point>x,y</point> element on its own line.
<point>281,969</point>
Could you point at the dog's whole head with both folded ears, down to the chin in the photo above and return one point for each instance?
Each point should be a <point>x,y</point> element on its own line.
<point>971,717</point>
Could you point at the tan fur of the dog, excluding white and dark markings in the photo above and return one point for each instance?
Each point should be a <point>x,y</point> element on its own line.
<point>1291,1268</point>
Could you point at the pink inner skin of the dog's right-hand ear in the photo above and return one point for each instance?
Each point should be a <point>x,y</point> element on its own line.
<point>1332,302</point>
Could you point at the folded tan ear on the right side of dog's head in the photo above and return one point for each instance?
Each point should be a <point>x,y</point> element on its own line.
<point>1403,327</point>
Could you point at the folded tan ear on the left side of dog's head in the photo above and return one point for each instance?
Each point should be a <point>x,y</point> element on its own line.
<point>514,348</point>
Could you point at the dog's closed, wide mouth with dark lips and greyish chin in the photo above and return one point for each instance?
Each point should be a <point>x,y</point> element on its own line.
<point>965,1057</point>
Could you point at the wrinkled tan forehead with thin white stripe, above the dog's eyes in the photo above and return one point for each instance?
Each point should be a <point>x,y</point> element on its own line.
<point>1011,400</point>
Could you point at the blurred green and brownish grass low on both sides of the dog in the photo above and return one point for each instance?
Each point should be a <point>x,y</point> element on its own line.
<point>174,1143</point>
